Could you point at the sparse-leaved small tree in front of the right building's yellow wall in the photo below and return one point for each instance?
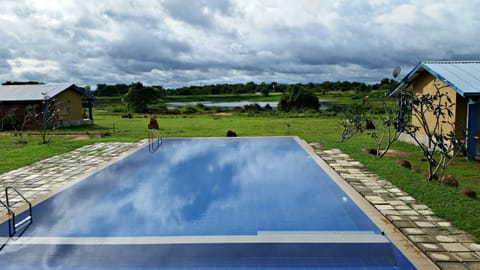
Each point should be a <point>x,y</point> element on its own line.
<point>433,114</point>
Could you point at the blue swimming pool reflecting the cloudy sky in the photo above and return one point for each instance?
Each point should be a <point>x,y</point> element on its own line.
<point>204,202</point>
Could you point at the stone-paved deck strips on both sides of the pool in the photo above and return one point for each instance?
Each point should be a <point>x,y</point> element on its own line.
<point>447,246</point>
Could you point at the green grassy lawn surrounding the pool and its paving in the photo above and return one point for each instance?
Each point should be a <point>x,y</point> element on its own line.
<point>447,202</point>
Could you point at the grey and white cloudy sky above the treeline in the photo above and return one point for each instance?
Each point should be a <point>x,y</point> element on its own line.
<point>195,42</point>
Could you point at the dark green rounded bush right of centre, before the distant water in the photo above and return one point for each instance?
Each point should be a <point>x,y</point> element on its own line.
<point>298,99</point>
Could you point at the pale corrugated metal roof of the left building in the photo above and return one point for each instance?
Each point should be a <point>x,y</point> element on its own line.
<point>31,92</point>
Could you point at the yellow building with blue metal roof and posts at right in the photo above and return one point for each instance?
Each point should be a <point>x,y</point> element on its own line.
<point>460,80</point>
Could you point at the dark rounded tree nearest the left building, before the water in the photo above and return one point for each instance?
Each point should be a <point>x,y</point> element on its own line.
<point>139,97</point>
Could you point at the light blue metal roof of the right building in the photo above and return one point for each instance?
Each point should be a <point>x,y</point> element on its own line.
<point>462,76</point>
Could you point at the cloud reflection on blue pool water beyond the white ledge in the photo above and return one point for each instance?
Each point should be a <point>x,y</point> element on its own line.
<point>202,187</point>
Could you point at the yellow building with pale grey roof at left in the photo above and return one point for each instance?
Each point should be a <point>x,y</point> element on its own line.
<point>75,102</point>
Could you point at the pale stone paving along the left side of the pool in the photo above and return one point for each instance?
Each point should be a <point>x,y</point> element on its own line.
<point>40,179</point>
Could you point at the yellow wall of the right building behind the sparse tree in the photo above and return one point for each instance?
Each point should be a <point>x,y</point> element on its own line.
<point>428,84</point>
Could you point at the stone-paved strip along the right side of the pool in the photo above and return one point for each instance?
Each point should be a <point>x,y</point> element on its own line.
<point>447,246</point>
